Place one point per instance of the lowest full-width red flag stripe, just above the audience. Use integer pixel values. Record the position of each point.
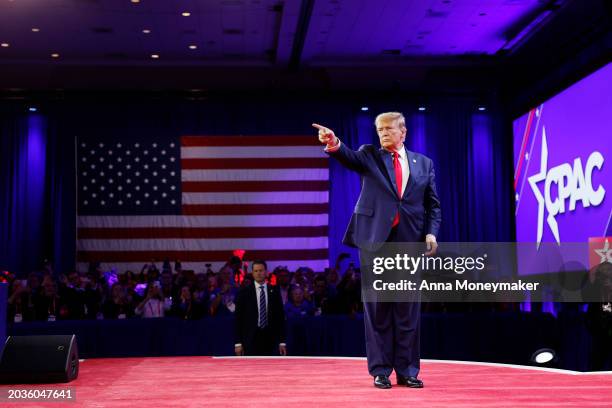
(199, 256)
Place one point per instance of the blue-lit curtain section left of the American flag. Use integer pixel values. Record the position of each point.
(35, 174)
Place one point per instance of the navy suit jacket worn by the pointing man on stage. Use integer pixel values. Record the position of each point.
(419, 207)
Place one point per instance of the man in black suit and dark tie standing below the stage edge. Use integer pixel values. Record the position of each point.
(259, 317)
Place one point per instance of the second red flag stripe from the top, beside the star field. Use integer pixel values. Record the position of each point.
(266, 163)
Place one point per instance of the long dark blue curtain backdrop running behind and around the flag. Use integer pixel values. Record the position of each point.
(471, 151)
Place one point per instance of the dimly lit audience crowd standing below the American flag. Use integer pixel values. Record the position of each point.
(174, 292)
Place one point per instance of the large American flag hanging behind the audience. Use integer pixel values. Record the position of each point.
(197, 198)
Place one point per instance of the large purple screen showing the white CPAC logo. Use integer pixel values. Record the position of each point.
(562, 178)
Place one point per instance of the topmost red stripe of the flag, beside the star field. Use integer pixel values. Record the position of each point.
(273, 141)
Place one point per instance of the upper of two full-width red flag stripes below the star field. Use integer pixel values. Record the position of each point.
(189, 233)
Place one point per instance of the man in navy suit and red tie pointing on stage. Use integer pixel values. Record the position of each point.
(398, 203)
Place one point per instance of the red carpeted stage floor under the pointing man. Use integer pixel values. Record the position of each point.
(318, 382)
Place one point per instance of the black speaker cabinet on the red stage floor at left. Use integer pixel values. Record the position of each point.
(39, 359)
